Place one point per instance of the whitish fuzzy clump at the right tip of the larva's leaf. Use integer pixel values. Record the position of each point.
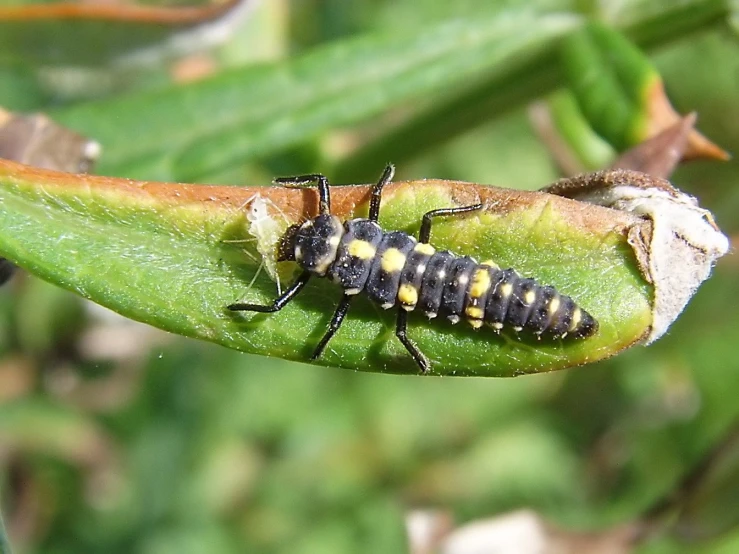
(684, 244)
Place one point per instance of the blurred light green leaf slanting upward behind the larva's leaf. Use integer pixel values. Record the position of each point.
(184, 133)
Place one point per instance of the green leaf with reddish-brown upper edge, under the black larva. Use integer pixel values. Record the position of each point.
(174, 256)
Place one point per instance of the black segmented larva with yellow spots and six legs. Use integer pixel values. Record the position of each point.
(392, 267)
